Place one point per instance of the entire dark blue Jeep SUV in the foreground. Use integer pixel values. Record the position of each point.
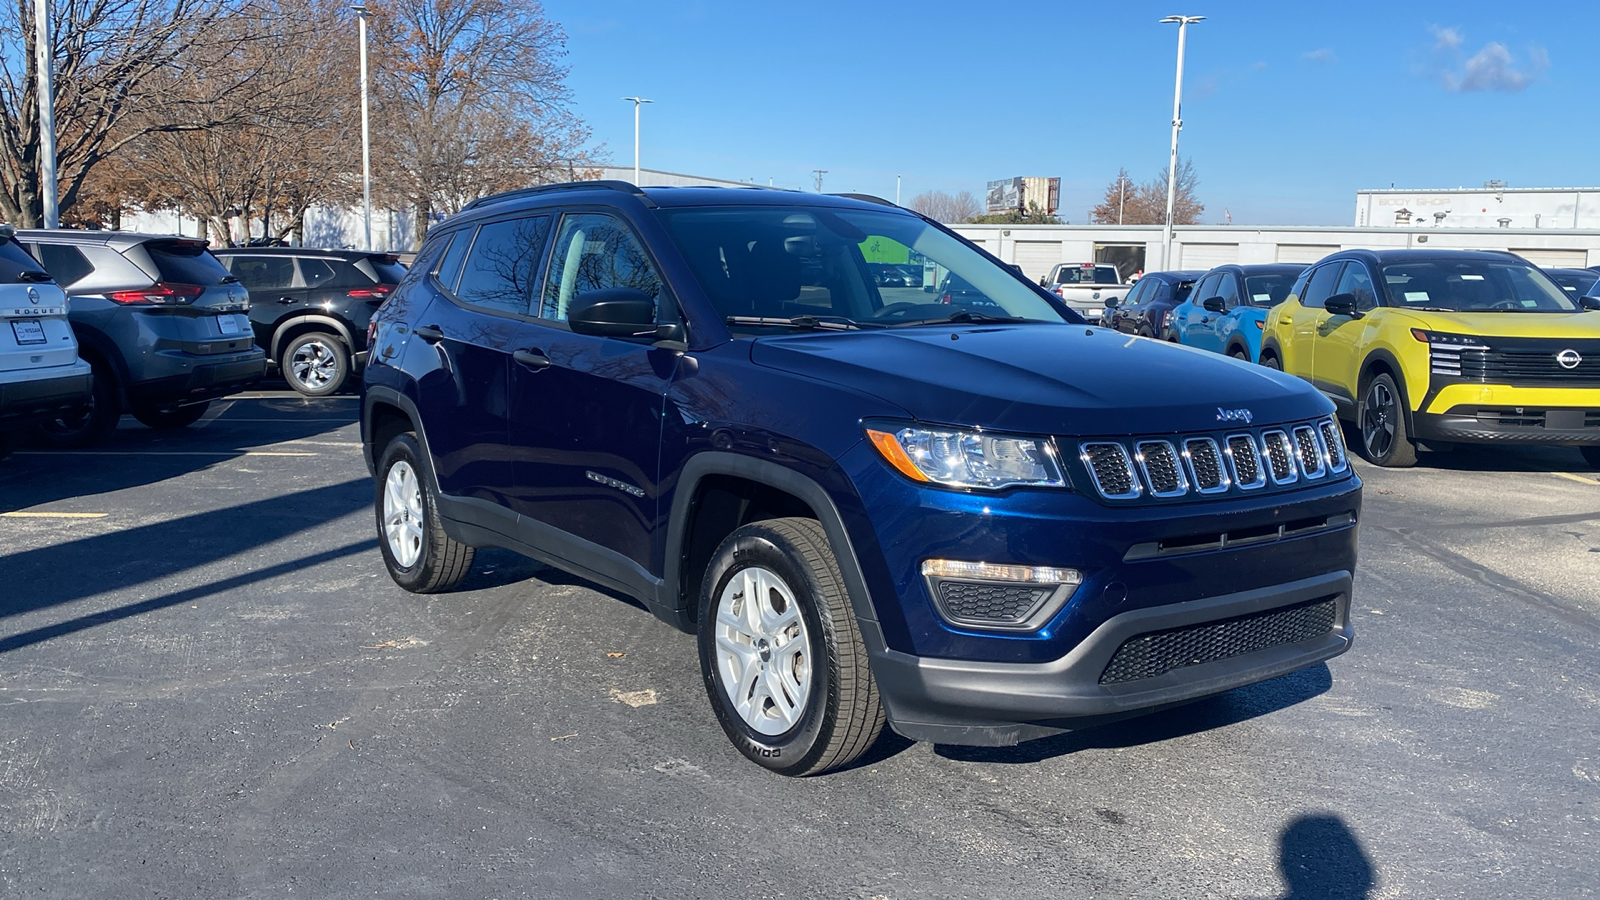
(978, 521)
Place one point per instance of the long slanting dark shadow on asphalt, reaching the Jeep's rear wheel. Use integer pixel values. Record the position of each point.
(66, 573)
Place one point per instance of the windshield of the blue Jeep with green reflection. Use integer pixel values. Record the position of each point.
(778, 263)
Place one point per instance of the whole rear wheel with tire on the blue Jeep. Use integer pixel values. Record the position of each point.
(420, 556)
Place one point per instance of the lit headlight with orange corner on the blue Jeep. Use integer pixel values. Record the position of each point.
(969, 459)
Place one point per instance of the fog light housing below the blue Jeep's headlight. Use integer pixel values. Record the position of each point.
(996, 597)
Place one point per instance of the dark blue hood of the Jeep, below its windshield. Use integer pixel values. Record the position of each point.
(1065, 380)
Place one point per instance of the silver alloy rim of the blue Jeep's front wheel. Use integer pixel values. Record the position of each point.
(764, 651)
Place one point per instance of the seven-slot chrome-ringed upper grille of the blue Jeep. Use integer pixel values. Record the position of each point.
(1162, 468)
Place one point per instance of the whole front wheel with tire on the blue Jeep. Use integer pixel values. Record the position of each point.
(807, 702)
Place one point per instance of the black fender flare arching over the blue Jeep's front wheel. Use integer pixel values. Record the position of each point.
(786, 480)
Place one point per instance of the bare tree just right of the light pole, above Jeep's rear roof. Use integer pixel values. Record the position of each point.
(471, 98)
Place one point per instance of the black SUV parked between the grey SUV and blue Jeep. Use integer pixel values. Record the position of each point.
(310, 308)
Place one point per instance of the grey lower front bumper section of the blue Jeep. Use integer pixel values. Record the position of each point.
(1004, 704)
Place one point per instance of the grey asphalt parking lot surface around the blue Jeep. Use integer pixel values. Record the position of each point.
(210, 688)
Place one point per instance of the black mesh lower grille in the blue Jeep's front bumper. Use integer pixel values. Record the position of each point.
(1156, 654)
